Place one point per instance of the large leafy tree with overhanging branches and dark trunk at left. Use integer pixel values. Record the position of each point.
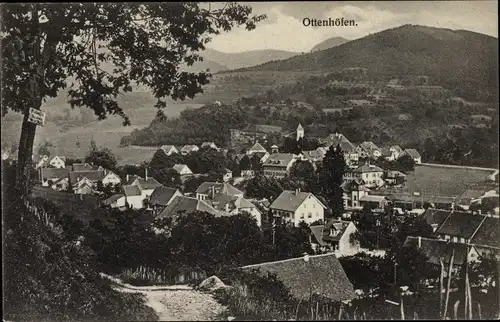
(100, 50)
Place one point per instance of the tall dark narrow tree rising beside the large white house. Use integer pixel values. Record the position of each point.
(330, 177)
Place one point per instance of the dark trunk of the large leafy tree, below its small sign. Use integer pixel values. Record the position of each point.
(25, 154)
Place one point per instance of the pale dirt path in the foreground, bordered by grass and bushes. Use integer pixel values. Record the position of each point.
(175, 303)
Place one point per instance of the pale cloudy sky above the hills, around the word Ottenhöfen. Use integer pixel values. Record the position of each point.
(284, 29)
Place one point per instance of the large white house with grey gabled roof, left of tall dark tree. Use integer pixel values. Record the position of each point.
(296, 206)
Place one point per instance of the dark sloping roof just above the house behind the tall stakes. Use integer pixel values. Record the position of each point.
(460, 224)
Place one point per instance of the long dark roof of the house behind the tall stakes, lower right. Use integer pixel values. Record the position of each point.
(435, 249)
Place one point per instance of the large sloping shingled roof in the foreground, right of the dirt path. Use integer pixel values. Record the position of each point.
(322, 275)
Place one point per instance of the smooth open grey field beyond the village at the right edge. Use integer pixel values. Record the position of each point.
(444, 181)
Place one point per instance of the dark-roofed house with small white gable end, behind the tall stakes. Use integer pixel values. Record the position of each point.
(437, 250)
